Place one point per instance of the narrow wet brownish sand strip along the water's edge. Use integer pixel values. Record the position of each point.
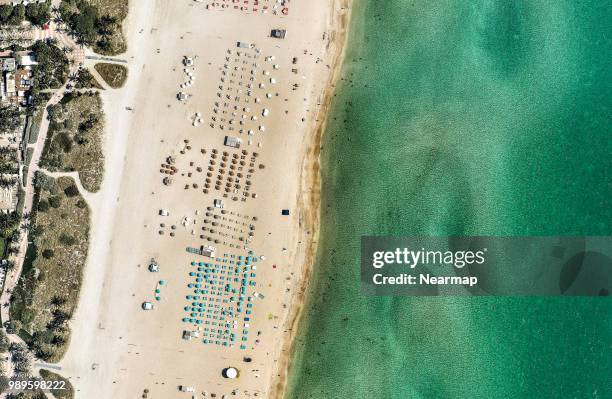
(309, 200)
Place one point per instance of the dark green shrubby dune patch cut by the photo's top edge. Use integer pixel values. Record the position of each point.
(97, 23)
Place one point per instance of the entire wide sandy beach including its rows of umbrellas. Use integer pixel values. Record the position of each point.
(271, 94)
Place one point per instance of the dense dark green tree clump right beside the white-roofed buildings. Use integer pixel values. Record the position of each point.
(53, 66)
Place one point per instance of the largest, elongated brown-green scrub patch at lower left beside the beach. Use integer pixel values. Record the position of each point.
(47, 293)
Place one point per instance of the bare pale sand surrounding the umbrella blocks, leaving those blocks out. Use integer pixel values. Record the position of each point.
(118, 350)
